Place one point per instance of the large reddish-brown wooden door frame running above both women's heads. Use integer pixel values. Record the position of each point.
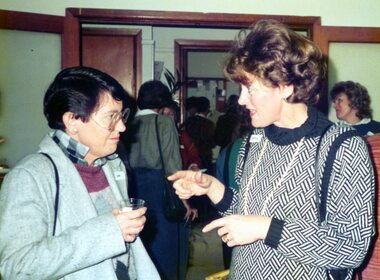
(76, 17)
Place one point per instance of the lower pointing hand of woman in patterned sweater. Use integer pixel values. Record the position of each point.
(240, 229)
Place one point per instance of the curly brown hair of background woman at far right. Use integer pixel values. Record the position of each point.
(357, 95)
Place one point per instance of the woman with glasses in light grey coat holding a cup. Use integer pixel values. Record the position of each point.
(66, 223)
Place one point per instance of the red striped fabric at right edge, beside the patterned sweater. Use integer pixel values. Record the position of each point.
(372, 269)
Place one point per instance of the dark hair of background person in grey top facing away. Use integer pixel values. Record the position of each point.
(154, 95)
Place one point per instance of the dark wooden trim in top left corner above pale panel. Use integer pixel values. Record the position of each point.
(31, 22)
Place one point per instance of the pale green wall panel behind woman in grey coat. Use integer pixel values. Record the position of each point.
(28, 63)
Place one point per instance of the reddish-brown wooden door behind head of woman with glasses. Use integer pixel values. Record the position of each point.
(114, 51)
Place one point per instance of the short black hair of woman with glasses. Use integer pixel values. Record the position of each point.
(78, 90)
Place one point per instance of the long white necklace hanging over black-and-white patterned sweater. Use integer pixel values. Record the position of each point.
(276, 185)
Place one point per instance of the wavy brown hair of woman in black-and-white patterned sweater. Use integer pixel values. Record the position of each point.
(277, 55)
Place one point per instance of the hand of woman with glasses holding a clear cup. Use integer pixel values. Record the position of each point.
(131, 223)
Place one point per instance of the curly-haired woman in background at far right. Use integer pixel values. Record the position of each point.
(353, 106)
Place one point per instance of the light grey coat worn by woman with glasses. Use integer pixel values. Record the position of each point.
(84, 243)
